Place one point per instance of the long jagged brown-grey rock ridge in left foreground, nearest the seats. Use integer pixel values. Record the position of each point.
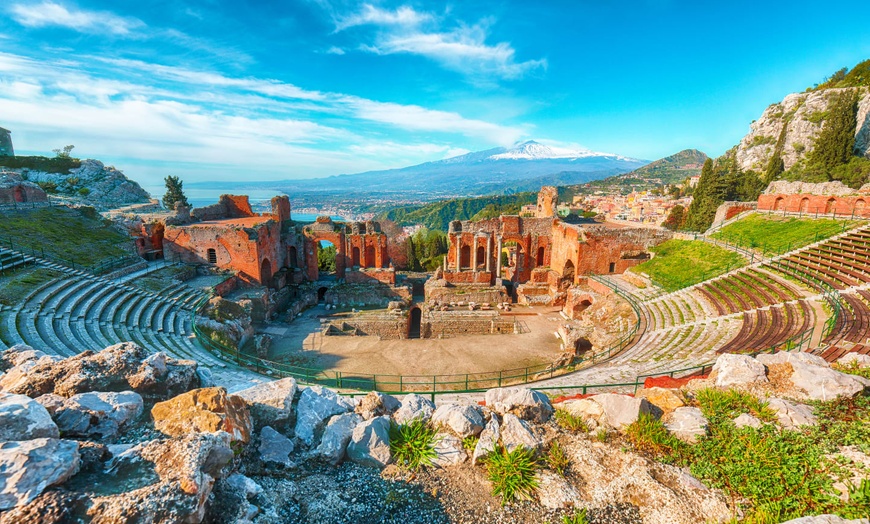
(121, 367)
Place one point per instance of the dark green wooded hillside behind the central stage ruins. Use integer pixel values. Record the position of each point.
(438, 215)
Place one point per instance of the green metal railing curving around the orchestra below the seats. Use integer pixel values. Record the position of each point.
(424, 384)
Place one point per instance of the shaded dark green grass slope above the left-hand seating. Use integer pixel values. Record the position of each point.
(67, 234)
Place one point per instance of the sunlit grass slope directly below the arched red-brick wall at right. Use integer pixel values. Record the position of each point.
(776, 235)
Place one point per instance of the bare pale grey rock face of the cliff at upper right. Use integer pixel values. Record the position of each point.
(800, 116)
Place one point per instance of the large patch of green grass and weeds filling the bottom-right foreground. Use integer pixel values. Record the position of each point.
(775, 474)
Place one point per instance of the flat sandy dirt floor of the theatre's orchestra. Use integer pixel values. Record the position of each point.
(302, 344)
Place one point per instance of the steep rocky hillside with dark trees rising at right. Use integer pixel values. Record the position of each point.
(820, 135)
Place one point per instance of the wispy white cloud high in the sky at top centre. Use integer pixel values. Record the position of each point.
(462, 48)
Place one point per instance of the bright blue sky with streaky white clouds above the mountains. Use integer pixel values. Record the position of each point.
(248, 90)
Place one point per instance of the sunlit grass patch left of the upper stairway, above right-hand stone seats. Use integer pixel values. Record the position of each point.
(682, 263)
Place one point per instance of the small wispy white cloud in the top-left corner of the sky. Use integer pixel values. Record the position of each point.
(49, 13)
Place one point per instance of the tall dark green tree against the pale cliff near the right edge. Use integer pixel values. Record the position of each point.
(835, 144)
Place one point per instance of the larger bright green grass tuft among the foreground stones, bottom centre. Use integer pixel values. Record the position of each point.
(512, 474)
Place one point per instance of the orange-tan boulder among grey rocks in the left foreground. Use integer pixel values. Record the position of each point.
(204, 410)
